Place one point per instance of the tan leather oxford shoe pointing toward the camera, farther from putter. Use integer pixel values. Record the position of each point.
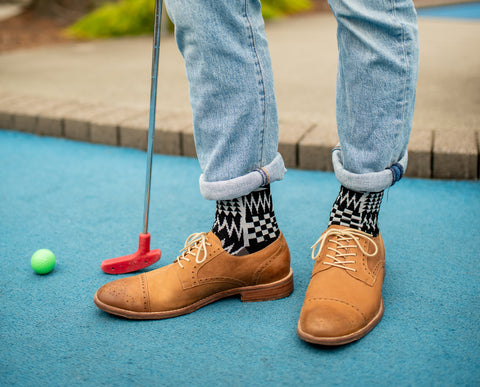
(344, 298)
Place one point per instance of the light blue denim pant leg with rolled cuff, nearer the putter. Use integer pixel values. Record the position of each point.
(231, 92)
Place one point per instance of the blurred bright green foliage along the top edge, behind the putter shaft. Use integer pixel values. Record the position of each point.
(136, 17)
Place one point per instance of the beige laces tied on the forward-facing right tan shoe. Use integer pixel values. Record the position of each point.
(343, 238)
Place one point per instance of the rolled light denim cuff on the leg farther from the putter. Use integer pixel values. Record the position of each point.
(371, 181)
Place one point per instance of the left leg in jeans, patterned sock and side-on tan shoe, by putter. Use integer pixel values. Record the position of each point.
(236, 135)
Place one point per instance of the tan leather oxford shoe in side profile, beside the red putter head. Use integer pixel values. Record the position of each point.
(202, 274)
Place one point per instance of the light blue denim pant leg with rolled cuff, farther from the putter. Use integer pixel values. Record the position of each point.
(376, 85)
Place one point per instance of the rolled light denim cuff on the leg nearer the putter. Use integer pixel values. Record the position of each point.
(243, 185)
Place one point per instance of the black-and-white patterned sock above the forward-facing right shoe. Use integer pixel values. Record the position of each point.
(358, 210)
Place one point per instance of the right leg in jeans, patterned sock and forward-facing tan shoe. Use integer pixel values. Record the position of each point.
(376, 83)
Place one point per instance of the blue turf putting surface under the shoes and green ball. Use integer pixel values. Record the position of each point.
(85, 202)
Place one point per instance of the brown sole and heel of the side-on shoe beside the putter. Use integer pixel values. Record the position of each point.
(267, 292)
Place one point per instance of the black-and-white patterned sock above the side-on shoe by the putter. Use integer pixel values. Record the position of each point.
(246, 224)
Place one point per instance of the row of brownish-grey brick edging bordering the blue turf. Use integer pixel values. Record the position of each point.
(442, 154)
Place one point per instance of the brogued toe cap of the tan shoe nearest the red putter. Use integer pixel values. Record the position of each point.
(124, 293)
